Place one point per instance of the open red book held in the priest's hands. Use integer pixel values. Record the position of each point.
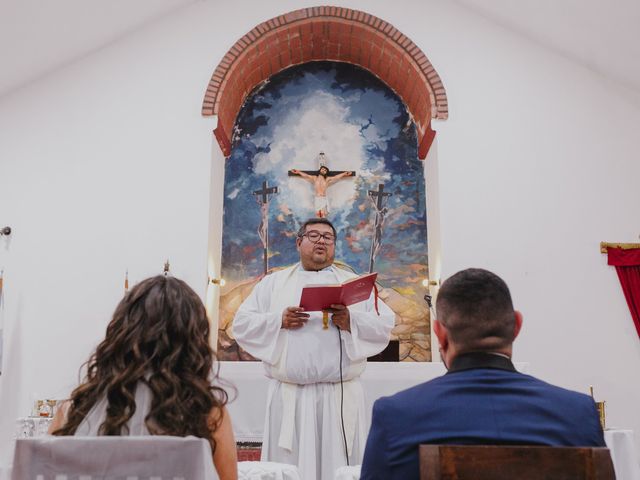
(320, 297)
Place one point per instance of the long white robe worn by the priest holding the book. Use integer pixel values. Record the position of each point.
(303, 421)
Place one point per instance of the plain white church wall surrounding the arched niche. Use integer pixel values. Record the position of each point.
(105, 165)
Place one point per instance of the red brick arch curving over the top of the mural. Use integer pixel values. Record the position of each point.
(326, 33)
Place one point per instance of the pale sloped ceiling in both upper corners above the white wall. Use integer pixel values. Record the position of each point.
(40, 36)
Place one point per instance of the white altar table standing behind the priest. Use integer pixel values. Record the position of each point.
(247, 404)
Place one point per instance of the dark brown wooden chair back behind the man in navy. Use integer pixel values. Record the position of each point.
(482, 462)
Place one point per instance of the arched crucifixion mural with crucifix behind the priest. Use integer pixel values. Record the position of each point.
(327, 139)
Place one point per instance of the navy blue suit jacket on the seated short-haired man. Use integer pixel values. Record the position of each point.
(481, 400)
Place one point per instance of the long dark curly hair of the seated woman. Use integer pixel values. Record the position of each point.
(159, 335)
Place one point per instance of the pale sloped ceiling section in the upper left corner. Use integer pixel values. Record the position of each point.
(40, 36)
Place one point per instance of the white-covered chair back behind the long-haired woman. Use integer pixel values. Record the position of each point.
(113, 458)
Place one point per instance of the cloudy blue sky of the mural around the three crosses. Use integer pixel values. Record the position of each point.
(361, 125)
